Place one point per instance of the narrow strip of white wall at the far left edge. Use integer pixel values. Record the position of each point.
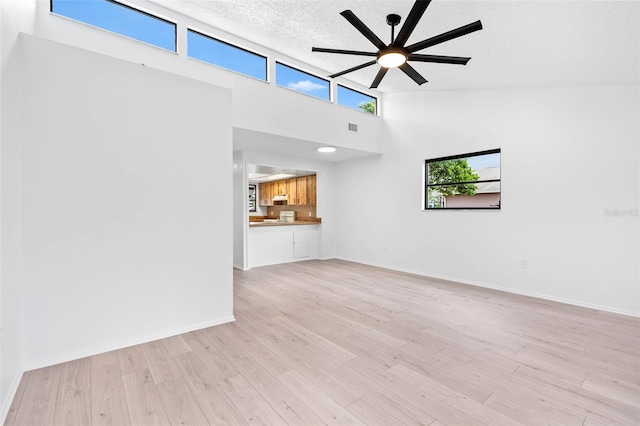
(15, 16)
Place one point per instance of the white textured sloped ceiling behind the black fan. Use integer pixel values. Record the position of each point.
(523, 43)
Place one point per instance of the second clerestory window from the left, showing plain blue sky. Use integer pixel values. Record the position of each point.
(219, 53)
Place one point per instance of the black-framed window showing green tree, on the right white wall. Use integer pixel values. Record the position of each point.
(468, 181)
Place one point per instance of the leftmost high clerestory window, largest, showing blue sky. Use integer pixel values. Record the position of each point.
(115, 17)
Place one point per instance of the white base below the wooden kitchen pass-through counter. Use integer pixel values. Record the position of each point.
(271, 245)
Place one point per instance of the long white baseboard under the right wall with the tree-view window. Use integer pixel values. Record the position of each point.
(499, 288)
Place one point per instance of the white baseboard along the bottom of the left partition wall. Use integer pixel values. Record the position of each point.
(124, 344)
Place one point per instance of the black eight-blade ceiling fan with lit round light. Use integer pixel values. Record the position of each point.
(396, 54)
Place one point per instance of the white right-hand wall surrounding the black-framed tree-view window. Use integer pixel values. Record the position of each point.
(568, 155)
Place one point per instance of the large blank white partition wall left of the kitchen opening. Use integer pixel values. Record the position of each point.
(122, 170)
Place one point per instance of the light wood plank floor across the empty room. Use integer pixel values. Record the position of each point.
(333, 342)
